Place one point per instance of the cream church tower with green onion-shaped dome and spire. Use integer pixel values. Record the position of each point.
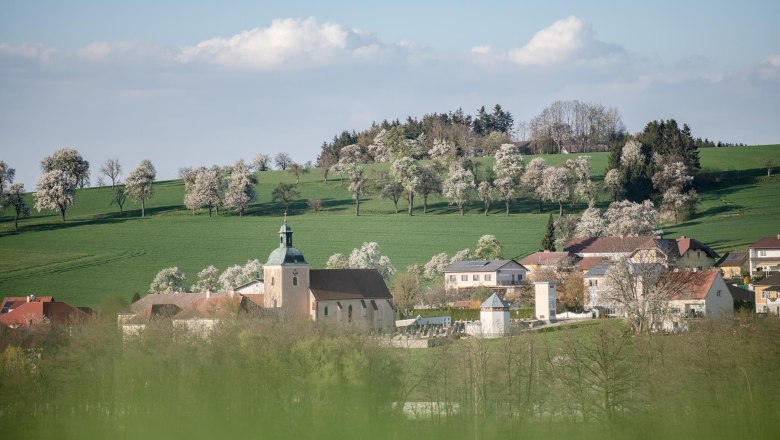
(286, 277)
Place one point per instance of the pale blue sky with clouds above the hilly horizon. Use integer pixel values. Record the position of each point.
(201, 83)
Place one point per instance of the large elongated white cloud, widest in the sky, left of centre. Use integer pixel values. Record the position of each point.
(288, 42)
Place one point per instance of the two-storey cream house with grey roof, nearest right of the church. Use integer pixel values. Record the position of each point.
(498, 275)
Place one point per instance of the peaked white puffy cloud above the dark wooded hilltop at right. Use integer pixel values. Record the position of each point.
(567, 40)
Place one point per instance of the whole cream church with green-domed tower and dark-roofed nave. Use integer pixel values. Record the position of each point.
(350, 296)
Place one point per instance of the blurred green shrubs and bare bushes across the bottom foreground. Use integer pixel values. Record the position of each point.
(294, 380)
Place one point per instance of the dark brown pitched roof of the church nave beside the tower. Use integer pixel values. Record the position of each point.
(338, 284)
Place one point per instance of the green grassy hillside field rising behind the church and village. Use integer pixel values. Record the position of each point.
(97, 252)
